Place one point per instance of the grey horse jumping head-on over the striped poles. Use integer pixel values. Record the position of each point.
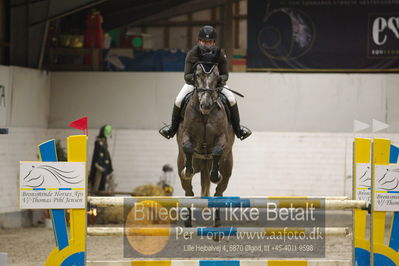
(205, 137)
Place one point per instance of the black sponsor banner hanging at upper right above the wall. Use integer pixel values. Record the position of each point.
(323, 35)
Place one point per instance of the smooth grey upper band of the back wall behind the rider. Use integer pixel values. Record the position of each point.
(273, 102)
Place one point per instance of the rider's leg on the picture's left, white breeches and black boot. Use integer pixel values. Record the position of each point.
(169, 131)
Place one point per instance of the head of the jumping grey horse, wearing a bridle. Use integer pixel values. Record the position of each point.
(206, 79)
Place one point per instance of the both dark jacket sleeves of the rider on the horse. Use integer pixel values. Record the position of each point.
(193, 56)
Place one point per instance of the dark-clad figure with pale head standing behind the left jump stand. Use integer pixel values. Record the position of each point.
(101, 166)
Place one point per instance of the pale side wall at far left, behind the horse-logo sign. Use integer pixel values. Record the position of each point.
(27, 112)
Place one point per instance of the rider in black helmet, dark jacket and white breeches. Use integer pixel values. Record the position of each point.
(205, 52)
